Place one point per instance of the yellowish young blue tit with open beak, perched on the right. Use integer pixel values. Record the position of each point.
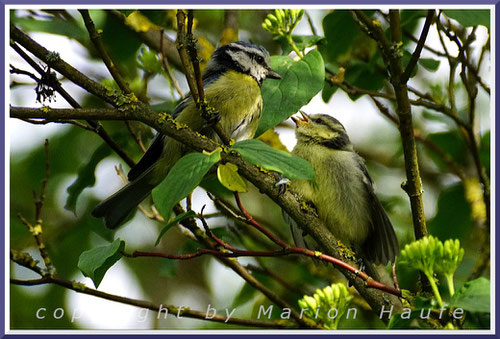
(343, 192)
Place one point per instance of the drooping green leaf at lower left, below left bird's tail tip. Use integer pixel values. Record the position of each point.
(96, 262)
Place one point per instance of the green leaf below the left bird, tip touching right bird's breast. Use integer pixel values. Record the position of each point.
(261, 154)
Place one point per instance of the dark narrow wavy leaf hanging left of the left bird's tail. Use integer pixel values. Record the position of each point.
(86, 177)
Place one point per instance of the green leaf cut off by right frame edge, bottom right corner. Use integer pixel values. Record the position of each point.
(473, 296)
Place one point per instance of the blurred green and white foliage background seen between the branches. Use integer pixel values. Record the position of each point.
(197, 283)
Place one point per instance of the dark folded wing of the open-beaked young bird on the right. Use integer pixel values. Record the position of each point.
(381, 246)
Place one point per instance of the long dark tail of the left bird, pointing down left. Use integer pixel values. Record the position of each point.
(116, 208)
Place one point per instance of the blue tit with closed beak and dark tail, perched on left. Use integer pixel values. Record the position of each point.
(232, 81)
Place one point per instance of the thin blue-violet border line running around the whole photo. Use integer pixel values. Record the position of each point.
(219, 2)
